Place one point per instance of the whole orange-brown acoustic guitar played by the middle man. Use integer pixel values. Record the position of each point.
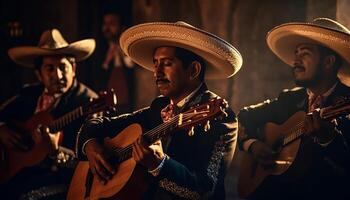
(129, 177)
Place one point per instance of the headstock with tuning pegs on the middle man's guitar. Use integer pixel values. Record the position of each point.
(201, 114)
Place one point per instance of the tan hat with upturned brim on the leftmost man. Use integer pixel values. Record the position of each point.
(52, 43)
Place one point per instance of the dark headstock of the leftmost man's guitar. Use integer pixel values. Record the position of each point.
(107, 100)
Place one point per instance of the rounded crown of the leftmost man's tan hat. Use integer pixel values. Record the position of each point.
(52, 39)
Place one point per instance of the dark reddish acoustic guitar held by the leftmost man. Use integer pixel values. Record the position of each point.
(12, 160)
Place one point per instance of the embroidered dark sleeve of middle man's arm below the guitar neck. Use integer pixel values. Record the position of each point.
(212, 157)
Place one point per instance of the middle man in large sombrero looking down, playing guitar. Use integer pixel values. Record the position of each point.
(189, 165)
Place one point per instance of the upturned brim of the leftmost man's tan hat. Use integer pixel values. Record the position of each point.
(26, 55)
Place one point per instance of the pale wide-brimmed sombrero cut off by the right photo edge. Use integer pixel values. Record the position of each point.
(284, 39)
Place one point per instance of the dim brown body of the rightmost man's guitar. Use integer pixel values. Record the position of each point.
(291, 161)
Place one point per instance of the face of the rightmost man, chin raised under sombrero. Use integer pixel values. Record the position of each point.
(307, 65)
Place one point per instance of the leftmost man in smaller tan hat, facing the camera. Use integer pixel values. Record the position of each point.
(58, 92)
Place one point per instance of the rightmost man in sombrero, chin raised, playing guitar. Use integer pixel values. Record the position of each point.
(319, 53)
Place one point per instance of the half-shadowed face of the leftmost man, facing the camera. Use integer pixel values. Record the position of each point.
(57, 74)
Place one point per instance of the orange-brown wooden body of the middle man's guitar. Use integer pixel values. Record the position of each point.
(124, 183)
